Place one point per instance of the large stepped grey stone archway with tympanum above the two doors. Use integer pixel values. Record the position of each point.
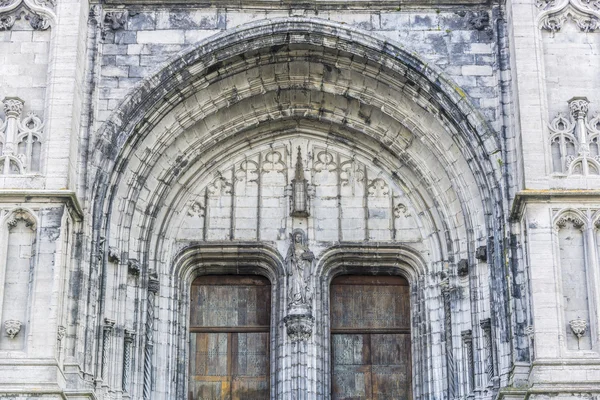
(169, 160)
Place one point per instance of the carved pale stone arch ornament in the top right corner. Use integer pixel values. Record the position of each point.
(584, 13)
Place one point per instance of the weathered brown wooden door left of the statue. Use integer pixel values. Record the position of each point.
(229, 338)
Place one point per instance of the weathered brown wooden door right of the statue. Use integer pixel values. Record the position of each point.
(370, 335)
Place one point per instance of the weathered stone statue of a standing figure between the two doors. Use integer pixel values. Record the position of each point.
(299, 261)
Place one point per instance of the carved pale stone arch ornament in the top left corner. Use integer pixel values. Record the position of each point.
(39, 13)
